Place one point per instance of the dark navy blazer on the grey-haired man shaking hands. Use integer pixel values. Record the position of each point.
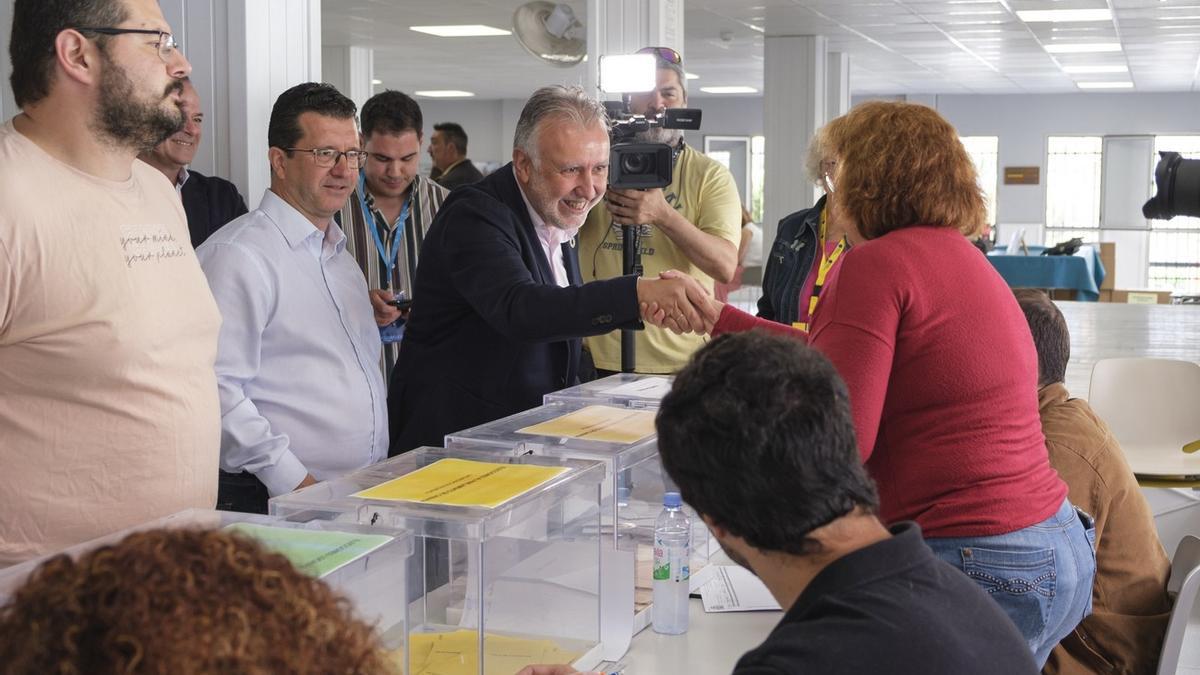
(490, 332)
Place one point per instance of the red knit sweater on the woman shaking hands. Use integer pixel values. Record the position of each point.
(943, 377)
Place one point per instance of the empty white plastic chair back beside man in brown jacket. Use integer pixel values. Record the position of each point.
(1154, 409)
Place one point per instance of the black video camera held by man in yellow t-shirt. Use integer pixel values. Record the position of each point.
(643, 166)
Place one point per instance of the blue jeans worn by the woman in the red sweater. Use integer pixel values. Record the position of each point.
(1041, 576)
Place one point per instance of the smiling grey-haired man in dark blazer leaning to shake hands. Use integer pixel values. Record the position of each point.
(500, 303)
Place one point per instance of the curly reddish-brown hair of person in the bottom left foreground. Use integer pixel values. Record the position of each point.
(183, 601)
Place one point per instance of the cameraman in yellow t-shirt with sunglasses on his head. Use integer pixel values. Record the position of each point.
(694, 226)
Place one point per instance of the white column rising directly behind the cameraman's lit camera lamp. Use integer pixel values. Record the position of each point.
(623, 27)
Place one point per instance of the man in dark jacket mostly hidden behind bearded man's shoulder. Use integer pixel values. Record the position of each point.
(209, 201)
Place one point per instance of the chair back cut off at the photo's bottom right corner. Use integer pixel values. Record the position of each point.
(1180, 655)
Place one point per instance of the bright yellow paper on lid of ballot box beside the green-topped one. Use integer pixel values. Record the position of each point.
(460, 482)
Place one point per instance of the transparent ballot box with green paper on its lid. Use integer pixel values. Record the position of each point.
(368, 566)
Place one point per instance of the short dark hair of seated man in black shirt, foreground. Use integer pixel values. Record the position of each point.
(759, 435)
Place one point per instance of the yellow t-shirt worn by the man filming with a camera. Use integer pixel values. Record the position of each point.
(705, 194)
